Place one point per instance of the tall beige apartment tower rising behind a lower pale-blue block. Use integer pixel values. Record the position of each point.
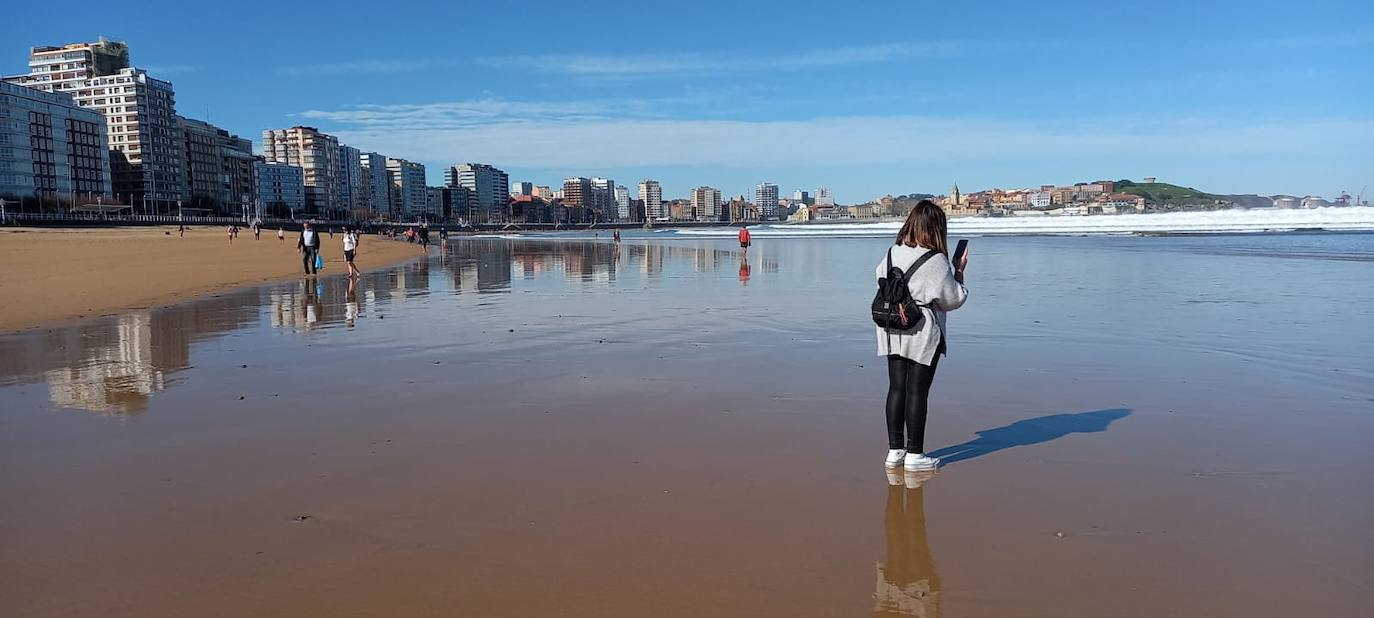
(318, 156)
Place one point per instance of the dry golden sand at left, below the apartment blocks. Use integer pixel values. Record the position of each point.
(57, 275)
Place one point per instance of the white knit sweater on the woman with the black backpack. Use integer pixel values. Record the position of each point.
(932, 285)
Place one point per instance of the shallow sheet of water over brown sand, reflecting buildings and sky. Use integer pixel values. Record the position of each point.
(1133, 426)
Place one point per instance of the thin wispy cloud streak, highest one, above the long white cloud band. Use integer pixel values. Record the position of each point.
(649, 65)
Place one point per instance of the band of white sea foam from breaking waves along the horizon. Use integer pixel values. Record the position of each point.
(1255, 220)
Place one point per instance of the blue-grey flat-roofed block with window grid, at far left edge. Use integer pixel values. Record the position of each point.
(52, 148)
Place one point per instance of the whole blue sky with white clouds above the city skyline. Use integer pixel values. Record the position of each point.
(868, 98)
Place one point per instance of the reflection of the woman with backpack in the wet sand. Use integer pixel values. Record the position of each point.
(908, 580)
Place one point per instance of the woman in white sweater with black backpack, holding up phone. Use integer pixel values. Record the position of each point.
(936, 286)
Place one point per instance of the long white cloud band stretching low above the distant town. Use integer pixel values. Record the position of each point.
(609, 144)
